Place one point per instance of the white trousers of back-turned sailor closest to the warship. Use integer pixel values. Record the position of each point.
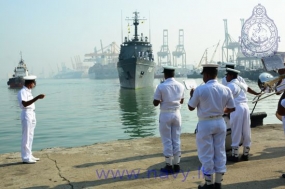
(170, 130)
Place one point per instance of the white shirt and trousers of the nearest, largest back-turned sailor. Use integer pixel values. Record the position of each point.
(210, 100)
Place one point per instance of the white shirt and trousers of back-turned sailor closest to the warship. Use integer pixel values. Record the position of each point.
(170, 93)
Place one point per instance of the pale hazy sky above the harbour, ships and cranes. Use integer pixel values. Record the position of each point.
(51, 32)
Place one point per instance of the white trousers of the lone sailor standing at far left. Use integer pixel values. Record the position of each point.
(28, 120)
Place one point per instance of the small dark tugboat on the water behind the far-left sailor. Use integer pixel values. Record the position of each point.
(17, 81)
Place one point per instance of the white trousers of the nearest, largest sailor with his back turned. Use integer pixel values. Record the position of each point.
(210, 141)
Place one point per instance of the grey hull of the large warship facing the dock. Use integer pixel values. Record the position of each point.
(135, 73)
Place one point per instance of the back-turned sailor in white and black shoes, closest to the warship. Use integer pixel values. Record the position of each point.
(170, 96)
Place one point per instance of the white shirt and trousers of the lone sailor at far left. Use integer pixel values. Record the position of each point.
(28, 120)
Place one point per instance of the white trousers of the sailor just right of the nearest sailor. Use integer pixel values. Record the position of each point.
(240, 125)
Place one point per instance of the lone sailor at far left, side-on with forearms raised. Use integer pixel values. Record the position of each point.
(28, 118)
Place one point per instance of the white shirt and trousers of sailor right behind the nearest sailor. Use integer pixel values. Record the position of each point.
(240, 118)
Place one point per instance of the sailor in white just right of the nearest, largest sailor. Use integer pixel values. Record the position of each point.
(240, 118)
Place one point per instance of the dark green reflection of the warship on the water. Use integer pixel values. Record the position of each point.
(138, 113)
